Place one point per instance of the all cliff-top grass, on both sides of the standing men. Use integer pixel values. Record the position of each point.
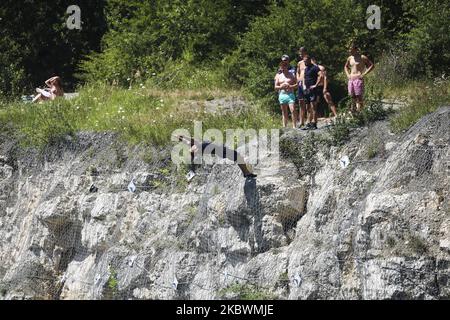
(149, 112)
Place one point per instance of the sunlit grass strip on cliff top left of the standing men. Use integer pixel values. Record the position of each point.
(138, 114)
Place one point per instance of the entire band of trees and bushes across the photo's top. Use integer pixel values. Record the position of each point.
(166, 42)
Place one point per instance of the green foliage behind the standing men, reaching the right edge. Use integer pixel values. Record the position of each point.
(415, 33)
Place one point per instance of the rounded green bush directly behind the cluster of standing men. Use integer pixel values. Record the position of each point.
(324, 27)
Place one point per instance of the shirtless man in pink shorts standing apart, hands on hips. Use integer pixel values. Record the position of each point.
(356, 68)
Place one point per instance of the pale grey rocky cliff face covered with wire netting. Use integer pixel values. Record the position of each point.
(377, 228)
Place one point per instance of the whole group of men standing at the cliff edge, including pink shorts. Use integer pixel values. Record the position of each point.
(309, 79)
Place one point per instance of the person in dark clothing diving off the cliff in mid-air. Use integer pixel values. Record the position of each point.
(219, 150)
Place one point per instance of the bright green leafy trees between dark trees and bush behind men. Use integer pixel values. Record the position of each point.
(147, 37)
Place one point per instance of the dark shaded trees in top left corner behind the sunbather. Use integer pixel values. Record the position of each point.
(36, 44)
